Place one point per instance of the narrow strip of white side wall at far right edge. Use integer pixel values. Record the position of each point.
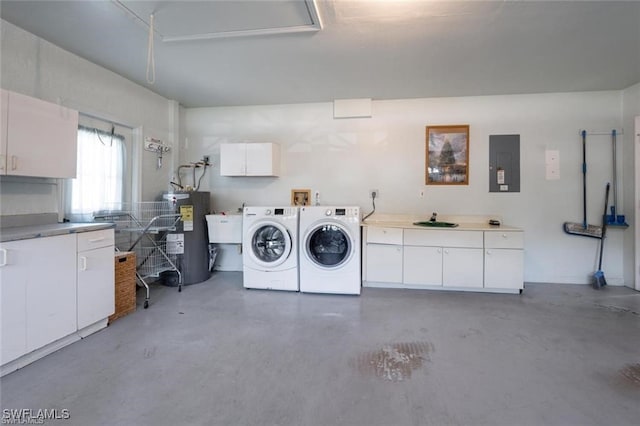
(631, 163)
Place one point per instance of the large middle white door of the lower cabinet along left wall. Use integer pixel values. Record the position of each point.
(51, 290)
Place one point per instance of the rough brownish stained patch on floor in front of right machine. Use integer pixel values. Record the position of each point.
(394, 362)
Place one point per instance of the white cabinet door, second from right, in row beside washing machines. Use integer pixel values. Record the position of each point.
(462, 267)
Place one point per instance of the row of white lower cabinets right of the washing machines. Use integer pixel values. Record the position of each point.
(473, 260)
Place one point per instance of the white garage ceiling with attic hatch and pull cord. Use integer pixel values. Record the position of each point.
(241, 52)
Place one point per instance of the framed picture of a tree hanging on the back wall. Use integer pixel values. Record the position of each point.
(447, 149)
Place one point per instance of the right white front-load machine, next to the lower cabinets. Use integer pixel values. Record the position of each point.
(330, 249)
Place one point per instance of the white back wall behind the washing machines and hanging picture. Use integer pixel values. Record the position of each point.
(345, 158)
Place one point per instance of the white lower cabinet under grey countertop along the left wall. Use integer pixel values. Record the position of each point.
(49, 291)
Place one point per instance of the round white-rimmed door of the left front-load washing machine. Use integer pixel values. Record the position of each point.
(270, 244)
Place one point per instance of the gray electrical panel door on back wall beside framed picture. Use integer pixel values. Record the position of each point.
(504, 163)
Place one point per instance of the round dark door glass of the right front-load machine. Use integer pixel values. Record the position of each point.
(329, 245)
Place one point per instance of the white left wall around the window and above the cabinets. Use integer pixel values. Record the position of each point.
(35, 67)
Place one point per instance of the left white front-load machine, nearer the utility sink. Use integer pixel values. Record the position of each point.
(270, 248)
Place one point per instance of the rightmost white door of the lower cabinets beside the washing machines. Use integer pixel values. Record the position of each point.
(504, 268)
